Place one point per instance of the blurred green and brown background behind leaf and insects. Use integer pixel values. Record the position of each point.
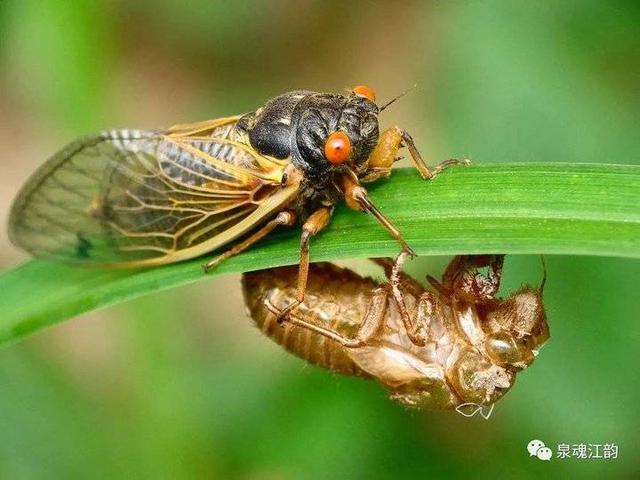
(181, 385)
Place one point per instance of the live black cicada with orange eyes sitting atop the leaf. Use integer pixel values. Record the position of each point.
(130, 198)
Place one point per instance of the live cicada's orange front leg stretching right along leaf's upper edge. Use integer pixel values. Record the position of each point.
(385, 154)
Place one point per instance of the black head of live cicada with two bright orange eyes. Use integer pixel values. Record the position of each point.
(334, 132)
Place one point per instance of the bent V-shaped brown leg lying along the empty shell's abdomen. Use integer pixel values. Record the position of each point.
(370, 323)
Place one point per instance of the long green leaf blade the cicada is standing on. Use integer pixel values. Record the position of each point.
(570, 209)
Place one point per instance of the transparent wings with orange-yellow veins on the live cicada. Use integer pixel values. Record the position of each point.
(136, 197)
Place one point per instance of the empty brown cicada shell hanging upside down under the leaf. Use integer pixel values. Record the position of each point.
(455, 346)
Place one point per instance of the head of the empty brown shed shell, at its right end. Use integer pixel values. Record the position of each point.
(517, 328)
